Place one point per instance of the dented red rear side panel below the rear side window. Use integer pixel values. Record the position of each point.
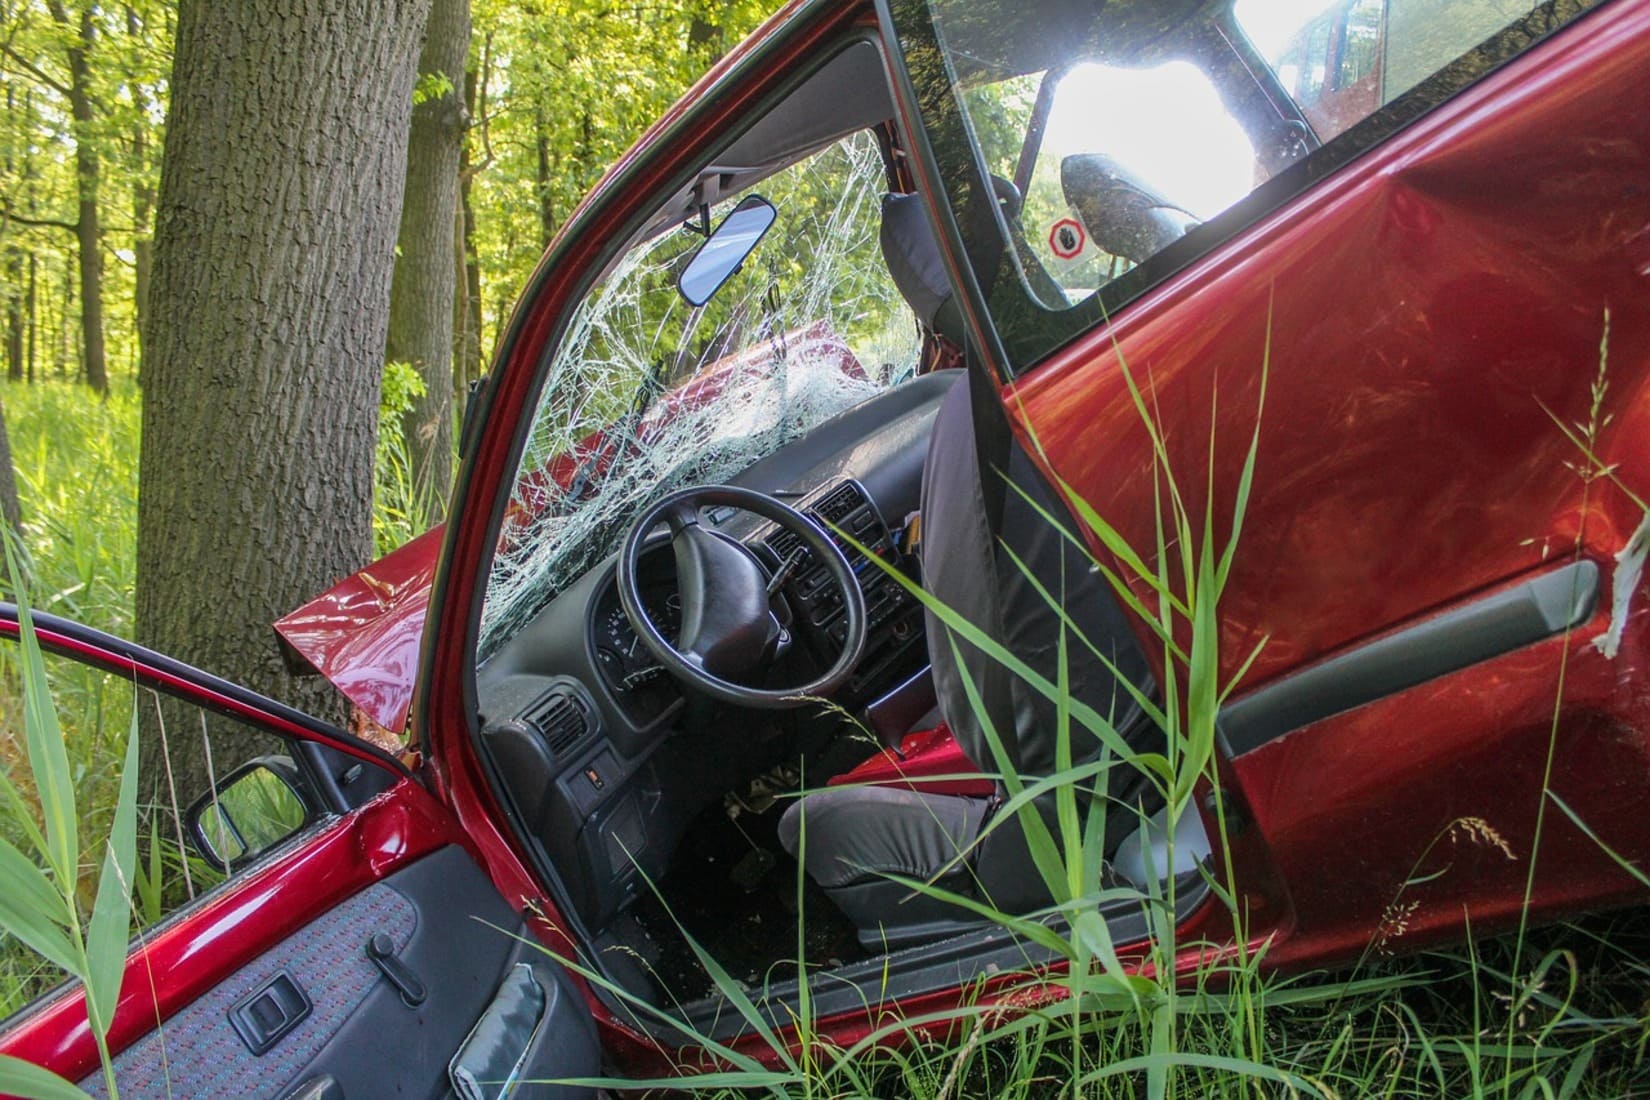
(1431, 321)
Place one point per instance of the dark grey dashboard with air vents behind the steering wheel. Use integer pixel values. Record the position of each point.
(603, 758)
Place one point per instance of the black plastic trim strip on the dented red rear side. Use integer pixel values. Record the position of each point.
(1466, 636)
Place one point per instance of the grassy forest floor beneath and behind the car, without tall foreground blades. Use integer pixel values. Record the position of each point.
(1560, 1012)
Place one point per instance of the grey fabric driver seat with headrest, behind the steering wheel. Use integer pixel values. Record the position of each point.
(852, 839)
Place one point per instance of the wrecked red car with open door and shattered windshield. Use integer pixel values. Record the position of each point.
(887, 284)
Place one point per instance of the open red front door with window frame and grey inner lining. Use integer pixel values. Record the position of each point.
(397, 865)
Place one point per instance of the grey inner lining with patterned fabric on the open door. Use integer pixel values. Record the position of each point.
(450, 931)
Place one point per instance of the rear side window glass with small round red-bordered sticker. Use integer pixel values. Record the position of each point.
(1133, 138)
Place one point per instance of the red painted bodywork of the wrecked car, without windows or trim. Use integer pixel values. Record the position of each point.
(1425, 313)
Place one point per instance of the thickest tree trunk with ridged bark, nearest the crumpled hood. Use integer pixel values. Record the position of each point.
(270, 304)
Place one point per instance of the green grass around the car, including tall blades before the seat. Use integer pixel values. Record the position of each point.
(1547, 1013)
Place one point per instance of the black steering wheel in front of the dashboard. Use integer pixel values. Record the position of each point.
(727, 621)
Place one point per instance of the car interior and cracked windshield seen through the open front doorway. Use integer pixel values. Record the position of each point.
(674, 723)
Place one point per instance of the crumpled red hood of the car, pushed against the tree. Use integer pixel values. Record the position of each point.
(364, 634)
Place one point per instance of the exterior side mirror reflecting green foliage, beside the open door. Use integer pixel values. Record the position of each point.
(248, 812)
